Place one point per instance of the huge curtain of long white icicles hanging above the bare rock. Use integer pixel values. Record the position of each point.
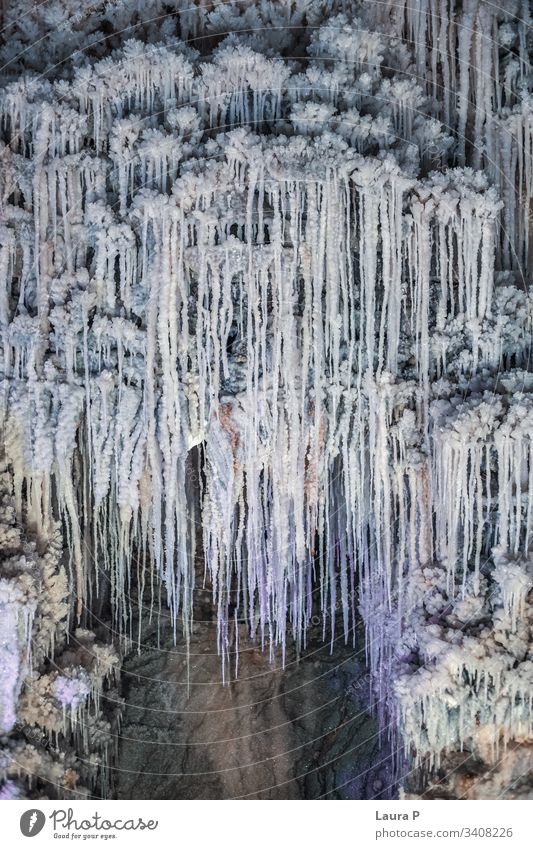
(275, 263)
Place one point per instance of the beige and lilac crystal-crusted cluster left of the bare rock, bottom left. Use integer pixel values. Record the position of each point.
(55, 735)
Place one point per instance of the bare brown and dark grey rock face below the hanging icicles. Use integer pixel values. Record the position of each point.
(298, 733)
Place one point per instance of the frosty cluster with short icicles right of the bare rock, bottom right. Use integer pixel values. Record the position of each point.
(464, 672)
